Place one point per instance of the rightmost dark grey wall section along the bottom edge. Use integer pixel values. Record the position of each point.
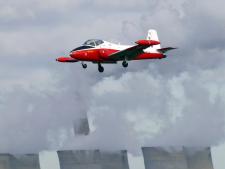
(177, 158)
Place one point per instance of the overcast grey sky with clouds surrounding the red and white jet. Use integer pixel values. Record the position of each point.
(176, 101)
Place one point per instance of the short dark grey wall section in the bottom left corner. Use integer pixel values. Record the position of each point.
(29, 161)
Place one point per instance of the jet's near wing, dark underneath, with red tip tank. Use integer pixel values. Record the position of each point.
(132, 52)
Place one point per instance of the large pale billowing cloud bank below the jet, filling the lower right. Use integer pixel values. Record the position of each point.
(147, 109)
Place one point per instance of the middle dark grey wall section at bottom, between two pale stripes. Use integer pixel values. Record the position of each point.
(92, 159)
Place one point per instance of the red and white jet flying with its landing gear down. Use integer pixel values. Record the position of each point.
(100, 52)
